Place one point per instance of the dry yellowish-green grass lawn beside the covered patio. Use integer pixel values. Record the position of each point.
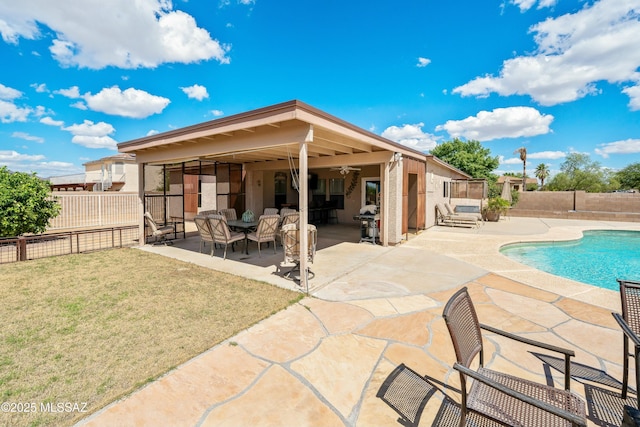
(91, 328)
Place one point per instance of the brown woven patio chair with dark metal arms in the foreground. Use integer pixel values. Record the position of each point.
(506, 398)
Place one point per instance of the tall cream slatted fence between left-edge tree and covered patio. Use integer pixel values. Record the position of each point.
(84, 210)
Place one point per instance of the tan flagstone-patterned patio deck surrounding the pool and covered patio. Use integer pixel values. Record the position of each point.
(322, 361)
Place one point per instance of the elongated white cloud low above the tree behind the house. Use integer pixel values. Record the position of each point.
(512, 122)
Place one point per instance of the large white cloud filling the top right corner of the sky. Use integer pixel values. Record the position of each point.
(574, 53)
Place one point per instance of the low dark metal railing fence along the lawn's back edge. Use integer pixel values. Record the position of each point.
(54, 244)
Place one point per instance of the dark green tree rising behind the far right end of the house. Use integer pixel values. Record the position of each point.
(470, 157)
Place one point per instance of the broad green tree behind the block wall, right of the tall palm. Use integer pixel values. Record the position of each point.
(579, 172)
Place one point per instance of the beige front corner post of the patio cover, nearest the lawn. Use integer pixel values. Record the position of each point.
(303, 203)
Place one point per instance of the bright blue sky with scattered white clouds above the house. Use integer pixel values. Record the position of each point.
(554, 76)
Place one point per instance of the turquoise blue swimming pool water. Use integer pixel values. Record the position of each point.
(599, 258)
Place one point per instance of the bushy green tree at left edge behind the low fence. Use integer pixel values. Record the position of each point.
(25, 202)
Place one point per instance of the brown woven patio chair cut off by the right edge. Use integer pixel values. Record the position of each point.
(629, 322)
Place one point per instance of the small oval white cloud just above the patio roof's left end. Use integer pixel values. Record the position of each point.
(131, 102)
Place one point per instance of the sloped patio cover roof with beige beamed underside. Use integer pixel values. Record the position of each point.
(269, 138)
